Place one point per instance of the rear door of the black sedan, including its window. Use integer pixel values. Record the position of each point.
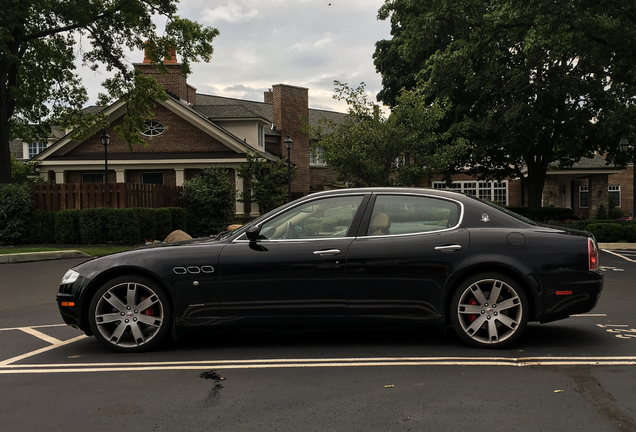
(407, 248)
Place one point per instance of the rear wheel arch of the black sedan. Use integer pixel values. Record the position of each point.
(525, 282)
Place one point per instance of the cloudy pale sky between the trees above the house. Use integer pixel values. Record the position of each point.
(306, 43)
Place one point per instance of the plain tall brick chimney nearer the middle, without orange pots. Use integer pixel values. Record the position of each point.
(291, 110)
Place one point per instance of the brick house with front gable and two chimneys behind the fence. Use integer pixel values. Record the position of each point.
(190, 132)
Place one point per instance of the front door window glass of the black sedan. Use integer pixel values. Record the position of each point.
(323, 218)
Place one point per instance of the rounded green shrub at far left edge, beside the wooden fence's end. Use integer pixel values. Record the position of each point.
(15, 213)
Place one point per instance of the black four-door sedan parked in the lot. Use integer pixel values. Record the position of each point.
(353, 257)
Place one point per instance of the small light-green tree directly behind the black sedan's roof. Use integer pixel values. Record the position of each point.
(371, 149)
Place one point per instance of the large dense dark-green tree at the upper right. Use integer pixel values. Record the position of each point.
(527, 84)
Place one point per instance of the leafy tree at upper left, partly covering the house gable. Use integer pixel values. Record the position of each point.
(38, 85)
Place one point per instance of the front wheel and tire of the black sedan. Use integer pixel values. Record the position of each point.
(130, 314)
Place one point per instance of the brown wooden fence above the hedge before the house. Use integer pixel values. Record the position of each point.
(116, 195)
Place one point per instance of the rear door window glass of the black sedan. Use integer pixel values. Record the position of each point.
(403, 214)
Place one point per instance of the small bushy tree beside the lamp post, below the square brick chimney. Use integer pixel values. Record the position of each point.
(266, 182)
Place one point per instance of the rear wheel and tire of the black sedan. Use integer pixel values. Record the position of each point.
(487, 322)
